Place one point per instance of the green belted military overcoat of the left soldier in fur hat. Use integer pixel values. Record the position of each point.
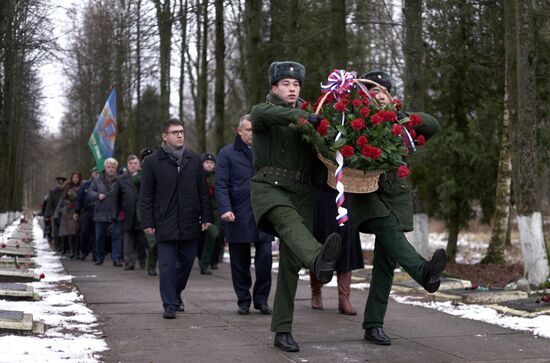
(276, 144)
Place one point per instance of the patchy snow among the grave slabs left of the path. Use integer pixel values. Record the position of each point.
(72, 331)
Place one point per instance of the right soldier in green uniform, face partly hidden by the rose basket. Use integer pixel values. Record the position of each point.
(388, 213)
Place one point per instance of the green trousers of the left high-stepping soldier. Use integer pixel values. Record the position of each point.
(297, 248)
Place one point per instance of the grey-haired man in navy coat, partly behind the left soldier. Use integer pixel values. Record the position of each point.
(234, 171)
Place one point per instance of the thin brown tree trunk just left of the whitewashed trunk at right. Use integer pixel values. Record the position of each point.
(501, 216)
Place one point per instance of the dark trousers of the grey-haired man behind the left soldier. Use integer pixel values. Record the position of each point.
(239, 254)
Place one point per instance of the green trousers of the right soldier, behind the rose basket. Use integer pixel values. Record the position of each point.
(390, 248)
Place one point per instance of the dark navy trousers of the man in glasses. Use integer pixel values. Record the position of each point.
(175, 260)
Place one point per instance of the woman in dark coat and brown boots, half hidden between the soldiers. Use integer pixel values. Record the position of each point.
(351, 258)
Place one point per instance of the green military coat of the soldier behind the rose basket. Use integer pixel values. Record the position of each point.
(393, 195)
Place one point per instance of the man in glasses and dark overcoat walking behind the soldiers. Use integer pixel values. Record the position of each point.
(175, 208)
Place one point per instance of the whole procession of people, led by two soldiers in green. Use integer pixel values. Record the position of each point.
(172, 206)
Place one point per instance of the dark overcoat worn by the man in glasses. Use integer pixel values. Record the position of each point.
(174, 196)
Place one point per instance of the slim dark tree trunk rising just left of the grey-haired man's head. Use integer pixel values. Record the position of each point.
(219, 93)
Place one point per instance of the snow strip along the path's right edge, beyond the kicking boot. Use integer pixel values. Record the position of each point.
(539, 326)
